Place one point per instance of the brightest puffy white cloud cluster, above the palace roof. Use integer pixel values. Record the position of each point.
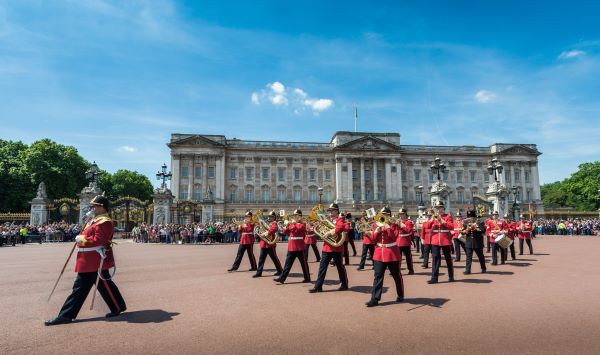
(299, 101)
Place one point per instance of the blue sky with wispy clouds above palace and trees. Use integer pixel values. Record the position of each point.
(116, 78)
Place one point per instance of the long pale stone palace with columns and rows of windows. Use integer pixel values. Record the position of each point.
(355, 169)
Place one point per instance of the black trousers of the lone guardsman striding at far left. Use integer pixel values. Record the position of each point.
(84, 282)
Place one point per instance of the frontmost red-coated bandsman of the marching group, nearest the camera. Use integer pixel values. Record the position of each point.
(386, 256)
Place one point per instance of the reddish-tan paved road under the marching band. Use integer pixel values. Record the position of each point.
(181, 300)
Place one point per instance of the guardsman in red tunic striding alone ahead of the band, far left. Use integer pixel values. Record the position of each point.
(94, 253)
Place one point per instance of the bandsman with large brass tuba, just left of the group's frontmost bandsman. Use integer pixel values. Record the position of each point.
(333, 253)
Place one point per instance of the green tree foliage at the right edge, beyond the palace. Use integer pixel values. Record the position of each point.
(579, 191)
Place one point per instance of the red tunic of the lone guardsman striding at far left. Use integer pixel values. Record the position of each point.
(97, 234)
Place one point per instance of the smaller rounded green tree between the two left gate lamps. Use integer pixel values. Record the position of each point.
(129, 183)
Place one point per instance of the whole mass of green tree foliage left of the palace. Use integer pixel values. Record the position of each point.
(62, 169)
